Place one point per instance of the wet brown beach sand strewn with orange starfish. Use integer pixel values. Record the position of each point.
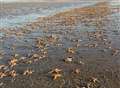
(78, 48)
